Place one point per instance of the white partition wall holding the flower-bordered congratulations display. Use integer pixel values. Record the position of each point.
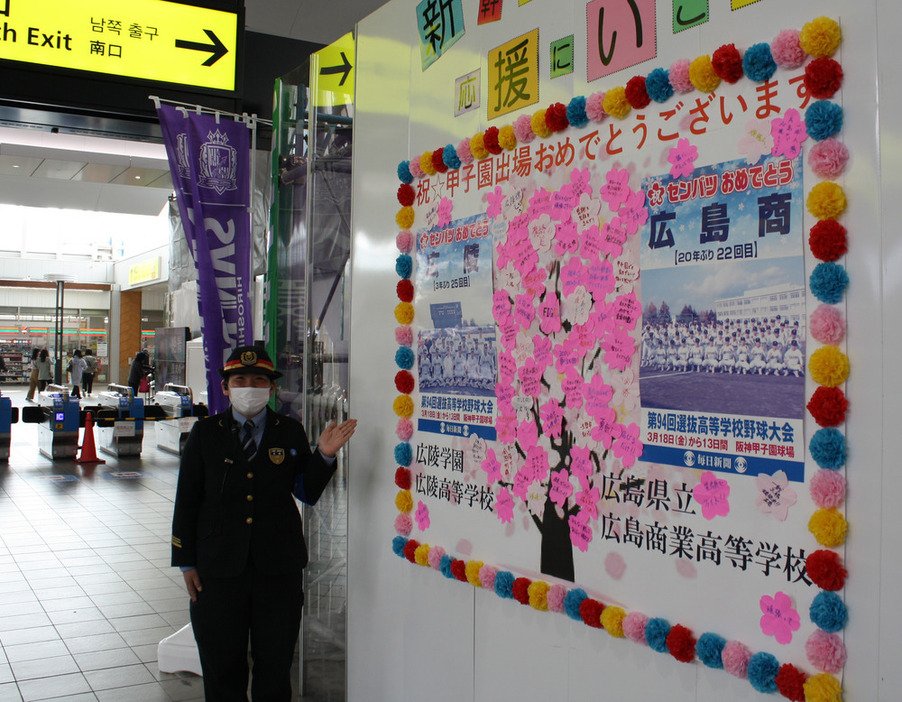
(416, 634)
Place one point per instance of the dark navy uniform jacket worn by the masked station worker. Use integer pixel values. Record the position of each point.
(229, 512)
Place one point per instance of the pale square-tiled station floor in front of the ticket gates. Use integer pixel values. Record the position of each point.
(86, 590)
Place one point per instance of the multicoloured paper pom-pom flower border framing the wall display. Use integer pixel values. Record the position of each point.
(818, 39)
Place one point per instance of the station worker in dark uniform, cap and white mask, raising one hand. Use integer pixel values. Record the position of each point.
(237, 535)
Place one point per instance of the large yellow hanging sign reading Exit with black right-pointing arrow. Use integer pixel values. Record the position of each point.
(148, 39)
